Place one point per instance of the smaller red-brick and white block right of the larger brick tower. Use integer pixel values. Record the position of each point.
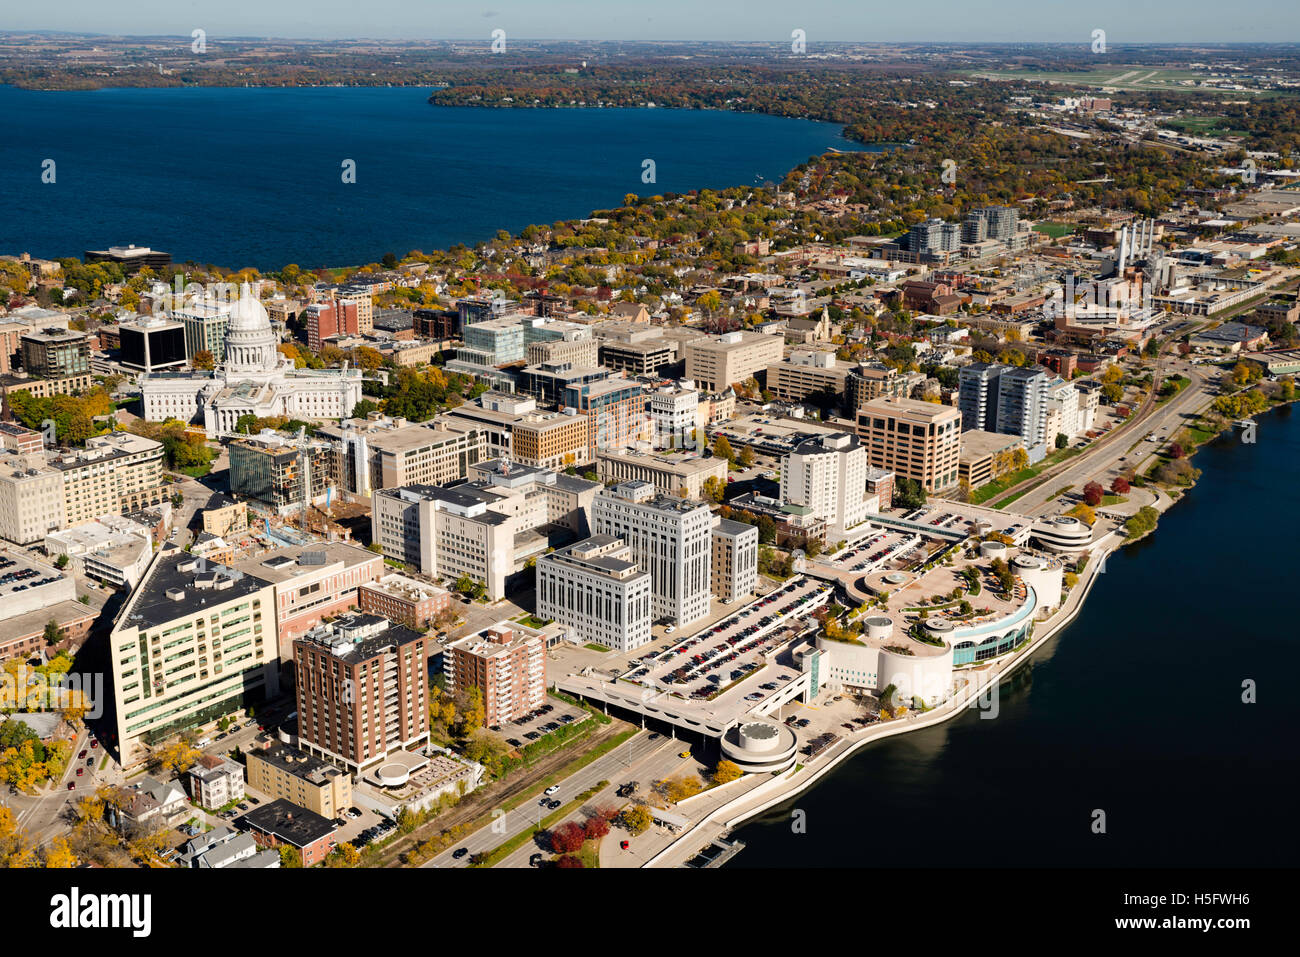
(508, 664)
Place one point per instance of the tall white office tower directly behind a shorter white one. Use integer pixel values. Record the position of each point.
(670, 538)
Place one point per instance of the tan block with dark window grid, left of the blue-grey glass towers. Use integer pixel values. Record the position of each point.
(915, 440)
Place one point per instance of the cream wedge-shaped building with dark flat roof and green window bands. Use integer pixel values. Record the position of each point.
(190, 646)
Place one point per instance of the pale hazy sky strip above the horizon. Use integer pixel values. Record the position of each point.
(1125, 21)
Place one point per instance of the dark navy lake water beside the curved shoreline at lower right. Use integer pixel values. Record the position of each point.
(1136, 709)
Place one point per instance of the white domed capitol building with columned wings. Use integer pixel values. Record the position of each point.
(254, 379)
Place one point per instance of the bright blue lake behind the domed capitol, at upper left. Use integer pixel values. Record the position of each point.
(254, 176)
